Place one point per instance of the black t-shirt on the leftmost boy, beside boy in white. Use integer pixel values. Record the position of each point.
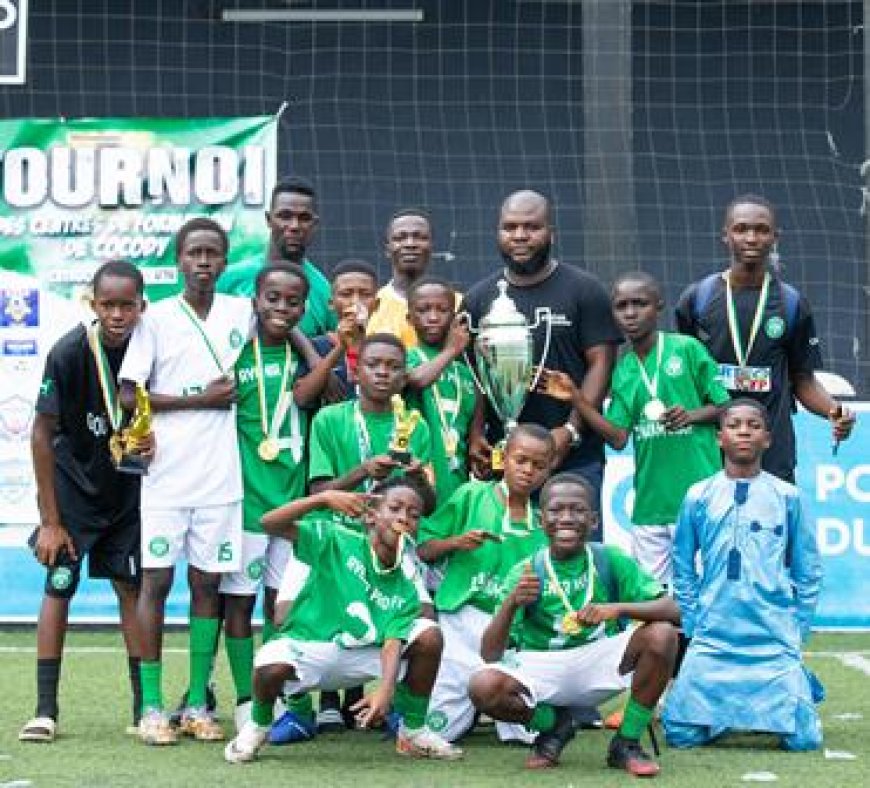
(71, 392)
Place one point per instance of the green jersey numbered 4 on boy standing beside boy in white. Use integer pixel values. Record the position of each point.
(268, 485)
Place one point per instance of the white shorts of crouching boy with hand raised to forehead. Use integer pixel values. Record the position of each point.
(327, 666)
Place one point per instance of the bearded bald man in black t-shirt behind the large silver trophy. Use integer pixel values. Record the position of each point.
(584, 335)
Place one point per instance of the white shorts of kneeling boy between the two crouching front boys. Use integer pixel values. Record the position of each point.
(451, 712)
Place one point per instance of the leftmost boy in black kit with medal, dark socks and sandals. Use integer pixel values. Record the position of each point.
(86, 507)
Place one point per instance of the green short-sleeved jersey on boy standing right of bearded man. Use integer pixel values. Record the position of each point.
(667, 462)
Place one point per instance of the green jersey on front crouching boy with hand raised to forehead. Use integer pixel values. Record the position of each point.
(349, 598)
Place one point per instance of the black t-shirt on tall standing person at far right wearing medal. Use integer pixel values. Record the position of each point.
(784, 345)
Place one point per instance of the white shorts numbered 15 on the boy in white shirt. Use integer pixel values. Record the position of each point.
(209, 537)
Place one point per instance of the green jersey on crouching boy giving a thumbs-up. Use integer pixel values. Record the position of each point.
(540, 627)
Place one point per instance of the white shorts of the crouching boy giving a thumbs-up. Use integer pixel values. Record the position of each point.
(583, 676)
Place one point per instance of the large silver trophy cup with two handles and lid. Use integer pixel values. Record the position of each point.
(504, 355)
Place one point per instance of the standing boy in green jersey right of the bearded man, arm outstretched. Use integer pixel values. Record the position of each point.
(665, 394)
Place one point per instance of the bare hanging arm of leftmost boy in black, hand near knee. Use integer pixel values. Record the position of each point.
(53, 538)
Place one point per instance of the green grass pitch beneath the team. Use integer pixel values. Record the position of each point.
(93, 749)
